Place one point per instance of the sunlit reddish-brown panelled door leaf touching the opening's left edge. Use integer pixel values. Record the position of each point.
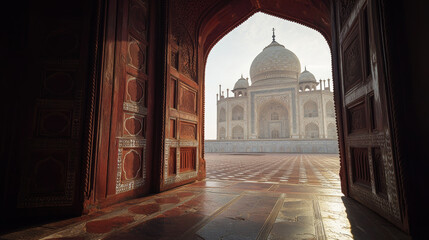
(181, 149)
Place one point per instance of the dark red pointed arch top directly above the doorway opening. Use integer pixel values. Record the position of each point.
(215, 25)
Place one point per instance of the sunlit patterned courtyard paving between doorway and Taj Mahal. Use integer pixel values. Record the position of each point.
(309, 169)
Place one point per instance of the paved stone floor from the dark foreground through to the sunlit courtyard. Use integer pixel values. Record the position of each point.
(245, 196)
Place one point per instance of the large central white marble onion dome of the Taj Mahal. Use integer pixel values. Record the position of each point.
(275, 63)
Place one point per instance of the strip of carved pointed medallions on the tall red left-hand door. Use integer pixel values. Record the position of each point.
(128, 142)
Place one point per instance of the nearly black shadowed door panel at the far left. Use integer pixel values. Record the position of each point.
(45, 177)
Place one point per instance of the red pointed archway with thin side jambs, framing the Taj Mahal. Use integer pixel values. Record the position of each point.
(225, 16)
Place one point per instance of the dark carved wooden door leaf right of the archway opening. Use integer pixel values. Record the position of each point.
(373, 173)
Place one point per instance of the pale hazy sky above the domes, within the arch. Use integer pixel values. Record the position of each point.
(234, 53)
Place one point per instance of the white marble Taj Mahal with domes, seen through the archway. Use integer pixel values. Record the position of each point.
(282, 110)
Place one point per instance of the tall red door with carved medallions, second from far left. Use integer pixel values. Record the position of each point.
(126, 124)
